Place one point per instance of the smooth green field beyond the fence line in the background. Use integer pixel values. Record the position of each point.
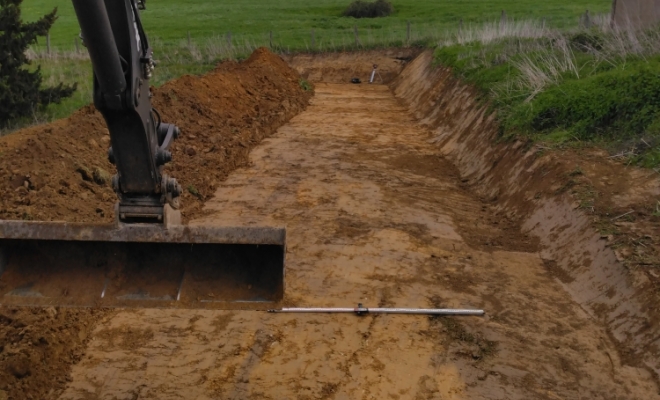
(292, 21)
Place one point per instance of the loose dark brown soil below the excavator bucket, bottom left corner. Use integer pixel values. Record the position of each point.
(38, 346)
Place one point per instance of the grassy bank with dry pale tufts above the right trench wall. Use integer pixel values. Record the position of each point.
(595, 85)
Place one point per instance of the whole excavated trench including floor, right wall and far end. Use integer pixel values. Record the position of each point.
(396, 195)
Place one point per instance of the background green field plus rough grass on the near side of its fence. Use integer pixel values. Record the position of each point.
(291, 22)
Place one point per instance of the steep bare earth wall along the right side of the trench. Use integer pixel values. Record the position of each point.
(527, 186)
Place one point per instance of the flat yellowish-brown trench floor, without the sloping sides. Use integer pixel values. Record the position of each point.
(373, 215)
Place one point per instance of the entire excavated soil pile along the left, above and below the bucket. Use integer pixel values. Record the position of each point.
(59, 172)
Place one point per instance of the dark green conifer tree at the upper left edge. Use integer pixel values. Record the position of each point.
(20, 89)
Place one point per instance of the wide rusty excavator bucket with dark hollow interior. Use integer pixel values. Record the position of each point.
(140, 265)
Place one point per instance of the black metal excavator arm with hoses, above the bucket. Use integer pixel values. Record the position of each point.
(123, 63)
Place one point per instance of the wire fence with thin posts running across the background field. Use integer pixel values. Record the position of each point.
(232, 45)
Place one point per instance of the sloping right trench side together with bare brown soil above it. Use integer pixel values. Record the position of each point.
(573, 201)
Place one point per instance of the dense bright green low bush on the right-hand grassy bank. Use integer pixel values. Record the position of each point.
(618, 104)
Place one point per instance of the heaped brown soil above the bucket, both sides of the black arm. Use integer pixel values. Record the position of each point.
(60, 171)
